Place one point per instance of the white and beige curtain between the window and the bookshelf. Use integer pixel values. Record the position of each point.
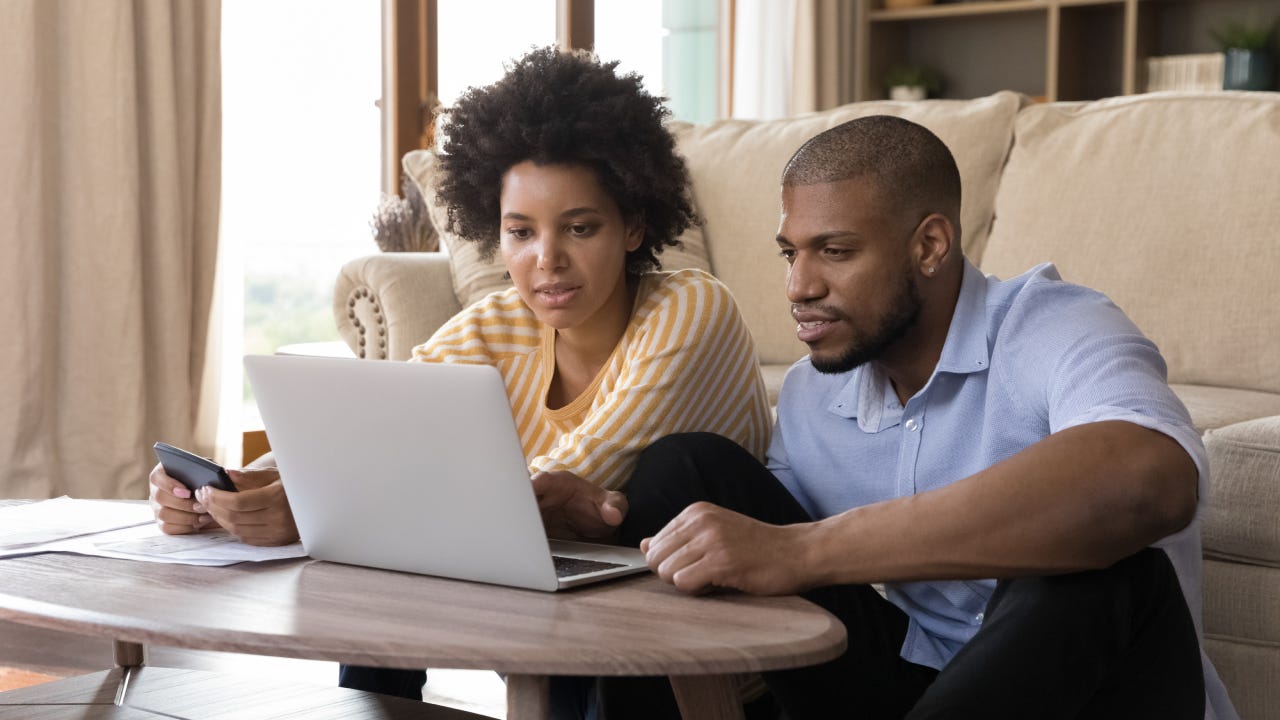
(792, 57)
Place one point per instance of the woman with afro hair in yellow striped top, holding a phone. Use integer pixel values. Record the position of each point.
(566, 171)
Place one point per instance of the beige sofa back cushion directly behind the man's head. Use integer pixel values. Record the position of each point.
(738, 165)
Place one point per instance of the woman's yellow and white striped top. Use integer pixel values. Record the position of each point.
(687, 363)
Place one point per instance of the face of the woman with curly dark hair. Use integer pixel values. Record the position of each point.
(565, 244)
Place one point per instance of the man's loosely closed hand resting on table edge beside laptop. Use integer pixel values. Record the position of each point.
(708, 548)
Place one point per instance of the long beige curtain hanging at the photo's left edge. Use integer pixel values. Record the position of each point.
(109, 198)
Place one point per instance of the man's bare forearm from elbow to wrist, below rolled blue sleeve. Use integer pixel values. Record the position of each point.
(1081, 499)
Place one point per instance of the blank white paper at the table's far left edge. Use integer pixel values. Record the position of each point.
(63, 518)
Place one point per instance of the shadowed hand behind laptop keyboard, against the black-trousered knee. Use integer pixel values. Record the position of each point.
(575, 509)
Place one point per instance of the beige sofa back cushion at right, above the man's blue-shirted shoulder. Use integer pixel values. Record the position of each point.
(1168, 203)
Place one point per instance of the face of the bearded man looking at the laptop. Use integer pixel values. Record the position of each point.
(852, 282)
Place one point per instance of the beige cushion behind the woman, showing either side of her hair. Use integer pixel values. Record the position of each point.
(476, 277)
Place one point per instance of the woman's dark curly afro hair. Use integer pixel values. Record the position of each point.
(566, 108)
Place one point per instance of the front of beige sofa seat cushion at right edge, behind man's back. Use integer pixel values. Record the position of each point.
(1242, 518)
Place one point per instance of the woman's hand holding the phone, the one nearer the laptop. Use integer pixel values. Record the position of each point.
(259, 514)
